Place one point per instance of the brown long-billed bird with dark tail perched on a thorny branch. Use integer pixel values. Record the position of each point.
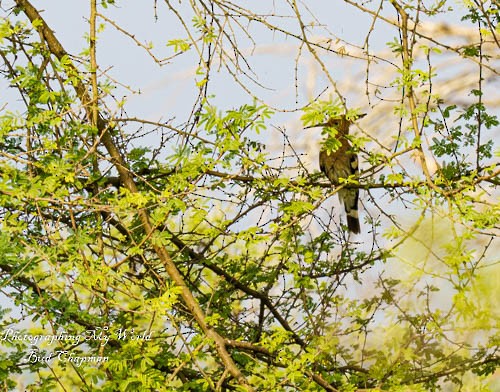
(342, 163)
